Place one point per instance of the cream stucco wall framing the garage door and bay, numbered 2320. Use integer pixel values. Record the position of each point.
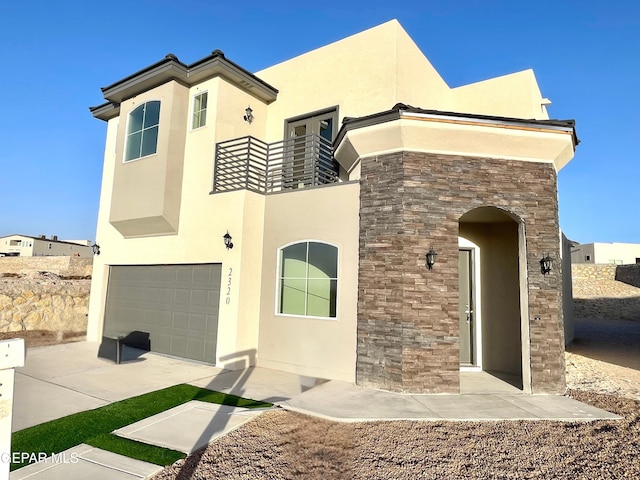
(204, 219)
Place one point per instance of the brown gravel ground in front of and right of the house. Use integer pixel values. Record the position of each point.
(287, 445)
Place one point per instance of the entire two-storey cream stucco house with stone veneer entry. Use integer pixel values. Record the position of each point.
(333, 174)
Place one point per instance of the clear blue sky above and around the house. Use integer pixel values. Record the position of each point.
(56, 55)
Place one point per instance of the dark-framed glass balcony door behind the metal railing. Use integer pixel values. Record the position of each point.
(309, 158)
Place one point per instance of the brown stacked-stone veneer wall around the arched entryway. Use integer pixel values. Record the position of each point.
(407, 316)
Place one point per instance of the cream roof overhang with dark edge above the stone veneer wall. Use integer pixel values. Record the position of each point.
(410, 129)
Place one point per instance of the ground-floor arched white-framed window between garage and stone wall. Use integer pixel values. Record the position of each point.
(308, 280)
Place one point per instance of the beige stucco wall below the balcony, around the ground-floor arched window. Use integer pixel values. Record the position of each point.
(314, 347)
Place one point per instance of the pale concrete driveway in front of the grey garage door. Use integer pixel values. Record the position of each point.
(68, 378)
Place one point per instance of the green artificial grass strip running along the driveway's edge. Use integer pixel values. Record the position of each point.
(61, 434)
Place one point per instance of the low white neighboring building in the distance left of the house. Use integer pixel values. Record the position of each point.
(26, 246)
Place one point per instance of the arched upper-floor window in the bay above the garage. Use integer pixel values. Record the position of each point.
(142, 131)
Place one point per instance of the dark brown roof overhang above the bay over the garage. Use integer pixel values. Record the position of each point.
(170, 68)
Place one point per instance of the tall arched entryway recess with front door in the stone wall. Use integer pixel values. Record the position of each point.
(493, 327)
